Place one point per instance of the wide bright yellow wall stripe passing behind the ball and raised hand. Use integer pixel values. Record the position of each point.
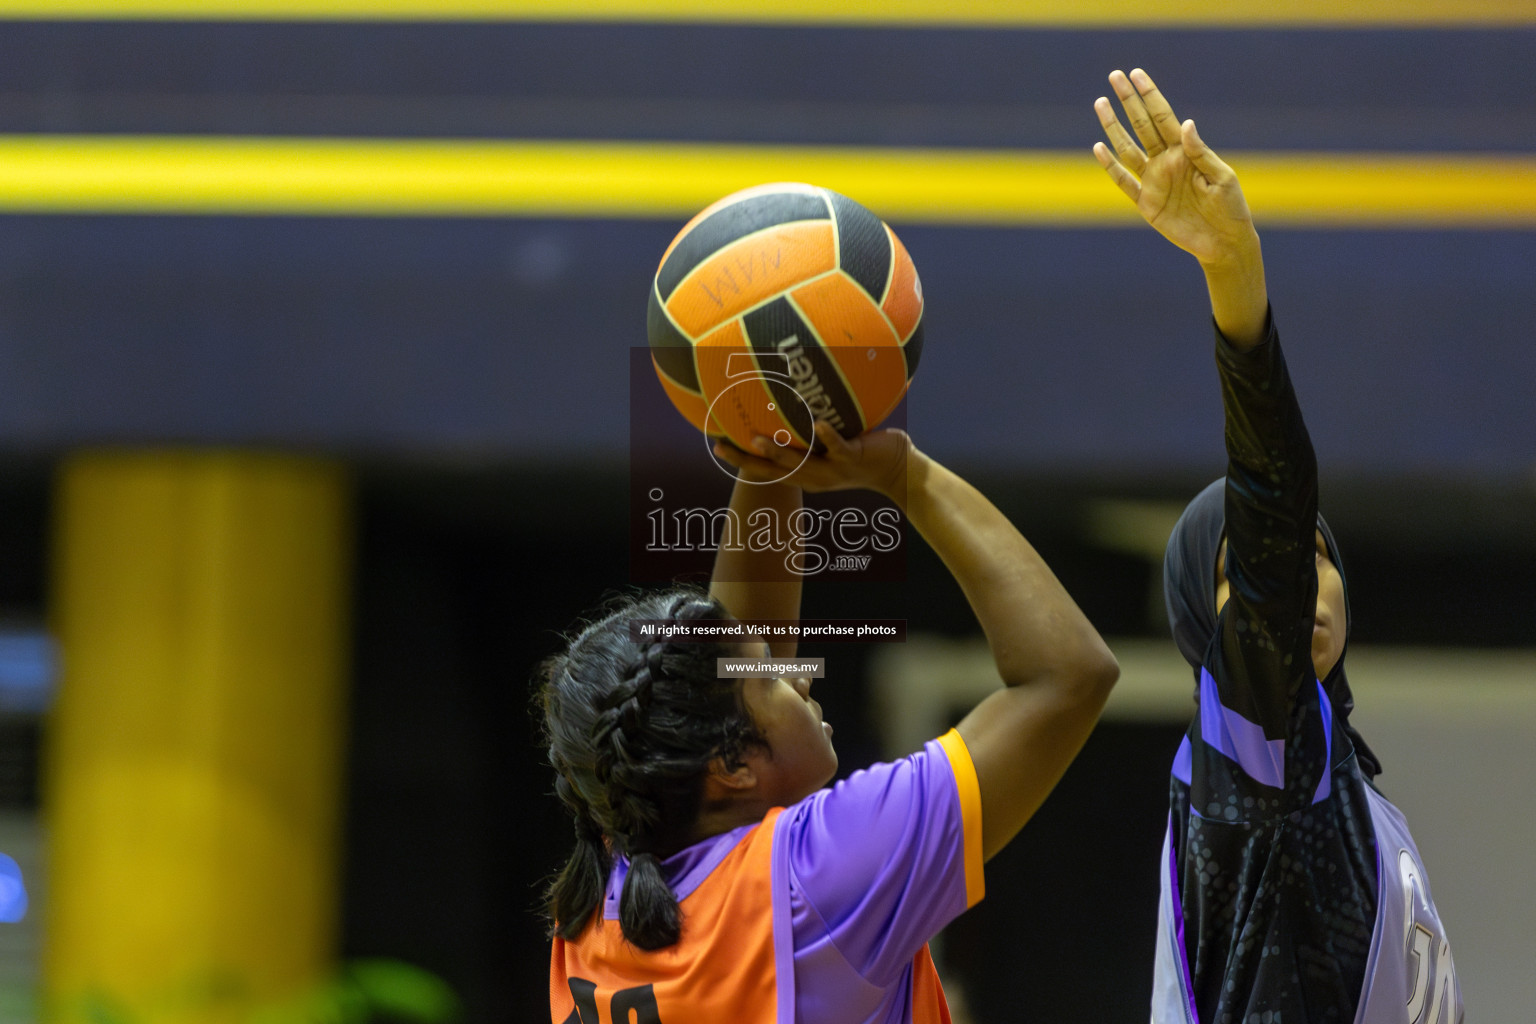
(251, 176)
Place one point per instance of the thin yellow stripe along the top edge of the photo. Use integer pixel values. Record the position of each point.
(975, 13)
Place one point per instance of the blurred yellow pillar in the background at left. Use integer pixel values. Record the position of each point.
(194, 756)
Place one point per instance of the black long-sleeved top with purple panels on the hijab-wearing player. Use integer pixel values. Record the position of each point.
(1273, 836)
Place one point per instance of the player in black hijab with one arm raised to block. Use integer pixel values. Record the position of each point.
(1293, 891)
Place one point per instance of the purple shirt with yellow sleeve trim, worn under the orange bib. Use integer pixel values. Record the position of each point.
(869, 871)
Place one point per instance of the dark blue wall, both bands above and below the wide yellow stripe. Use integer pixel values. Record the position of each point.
(508, 339)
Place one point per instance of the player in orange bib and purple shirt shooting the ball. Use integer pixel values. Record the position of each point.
(717, 877)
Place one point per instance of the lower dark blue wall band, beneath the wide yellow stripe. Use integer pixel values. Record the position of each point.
(511, 339)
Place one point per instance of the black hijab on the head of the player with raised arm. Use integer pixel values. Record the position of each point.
(1190, 587)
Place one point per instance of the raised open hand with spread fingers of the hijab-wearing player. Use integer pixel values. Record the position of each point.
(1179, 183)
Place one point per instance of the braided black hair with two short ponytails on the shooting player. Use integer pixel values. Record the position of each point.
(632, 730)
